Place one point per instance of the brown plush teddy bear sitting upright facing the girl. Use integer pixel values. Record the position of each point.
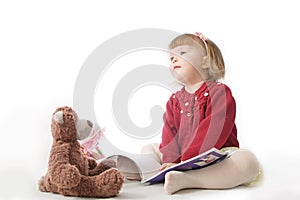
(70, 172)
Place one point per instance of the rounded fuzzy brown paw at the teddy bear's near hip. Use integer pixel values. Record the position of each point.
(65, 175)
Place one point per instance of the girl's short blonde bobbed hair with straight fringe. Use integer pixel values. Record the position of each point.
(216, 68)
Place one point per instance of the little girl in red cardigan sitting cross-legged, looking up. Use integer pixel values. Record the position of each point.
(200, 116)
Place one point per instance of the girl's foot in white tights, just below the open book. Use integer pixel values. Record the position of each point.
(174, 181)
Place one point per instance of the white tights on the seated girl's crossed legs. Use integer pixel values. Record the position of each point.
(240, 168)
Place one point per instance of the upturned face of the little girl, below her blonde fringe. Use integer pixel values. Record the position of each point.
(186, 63)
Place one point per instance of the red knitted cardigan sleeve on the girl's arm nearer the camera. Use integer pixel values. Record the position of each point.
(217, 128)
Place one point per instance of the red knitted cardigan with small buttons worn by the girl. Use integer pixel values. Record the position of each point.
(194, 123)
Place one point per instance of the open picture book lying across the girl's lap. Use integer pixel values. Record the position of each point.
(145, 168)
